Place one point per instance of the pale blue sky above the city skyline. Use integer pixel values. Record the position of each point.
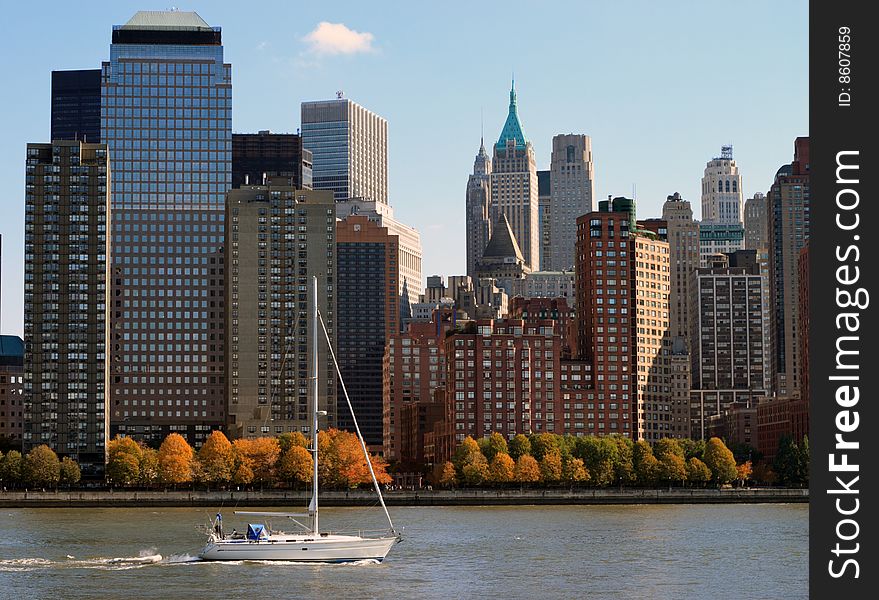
(659, 86)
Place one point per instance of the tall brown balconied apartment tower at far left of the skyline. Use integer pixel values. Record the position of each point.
(67, 216)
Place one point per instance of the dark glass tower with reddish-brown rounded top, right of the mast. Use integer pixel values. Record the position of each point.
(367, 316)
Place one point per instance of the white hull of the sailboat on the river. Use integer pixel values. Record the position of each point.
(325, 549)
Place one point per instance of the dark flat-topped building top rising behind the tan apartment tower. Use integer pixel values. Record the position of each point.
(256, 157)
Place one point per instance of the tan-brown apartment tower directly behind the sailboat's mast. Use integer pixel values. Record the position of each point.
(278, 238)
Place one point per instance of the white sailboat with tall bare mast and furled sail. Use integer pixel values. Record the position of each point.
(309, 544)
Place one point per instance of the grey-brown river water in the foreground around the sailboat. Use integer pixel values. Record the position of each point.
(641, 551)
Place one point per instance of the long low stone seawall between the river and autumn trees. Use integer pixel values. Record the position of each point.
(422, 497)
